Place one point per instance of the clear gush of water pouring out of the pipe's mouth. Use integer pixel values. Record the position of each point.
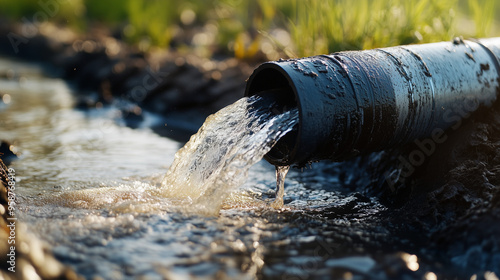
(216, 160)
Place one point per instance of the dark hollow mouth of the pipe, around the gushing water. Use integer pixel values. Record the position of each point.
(269, 80)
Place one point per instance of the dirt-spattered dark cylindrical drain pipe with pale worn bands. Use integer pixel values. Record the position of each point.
(362, 101)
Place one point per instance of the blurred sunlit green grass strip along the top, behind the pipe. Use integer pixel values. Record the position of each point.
(264, 29)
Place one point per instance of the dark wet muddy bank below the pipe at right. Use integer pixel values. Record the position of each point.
(449, 201)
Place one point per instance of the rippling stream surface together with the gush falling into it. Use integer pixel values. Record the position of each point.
(97, 193)
